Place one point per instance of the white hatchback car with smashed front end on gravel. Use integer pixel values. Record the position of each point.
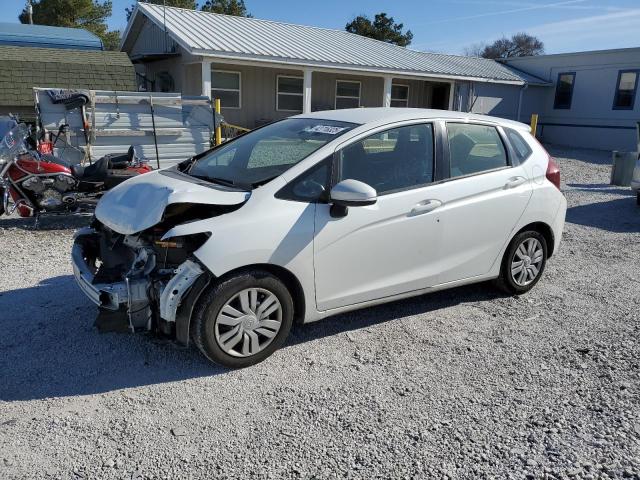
(319, 214)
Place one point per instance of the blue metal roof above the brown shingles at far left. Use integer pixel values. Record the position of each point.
(24, 35)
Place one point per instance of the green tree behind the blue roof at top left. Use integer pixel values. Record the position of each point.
(88, 14)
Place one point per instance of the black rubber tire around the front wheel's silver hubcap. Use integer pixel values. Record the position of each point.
(203, 328)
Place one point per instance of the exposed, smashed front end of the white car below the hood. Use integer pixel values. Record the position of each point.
(138, 279)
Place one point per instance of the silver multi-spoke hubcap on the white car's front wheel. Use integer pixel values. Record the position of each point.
(248, 322)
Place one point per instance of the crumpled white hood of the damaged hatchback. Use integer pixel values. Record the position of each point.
(139, 203)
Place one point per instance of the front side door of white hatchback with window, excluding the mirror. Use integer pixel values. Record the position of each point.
(386, 248)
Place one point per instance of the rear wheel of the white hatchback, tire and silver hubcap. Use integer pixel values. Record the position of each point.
(523, 263)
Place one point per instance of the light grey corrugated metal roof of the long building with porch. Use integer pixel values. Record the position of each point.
(240, 38)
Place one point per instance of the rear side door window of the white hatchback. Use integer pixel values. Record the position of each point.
(474, 148)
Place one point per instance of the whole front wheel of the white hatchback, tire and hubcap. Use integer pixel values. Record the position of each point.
(242, 320)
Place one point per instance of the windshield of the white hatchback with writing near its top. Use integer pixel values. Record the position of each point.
(259, 156)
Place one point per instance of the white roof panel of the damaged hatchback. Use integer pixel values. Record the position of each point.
(382, 115)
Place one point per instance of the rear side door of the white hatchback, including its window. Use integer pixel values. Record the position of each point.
(483, 199)
